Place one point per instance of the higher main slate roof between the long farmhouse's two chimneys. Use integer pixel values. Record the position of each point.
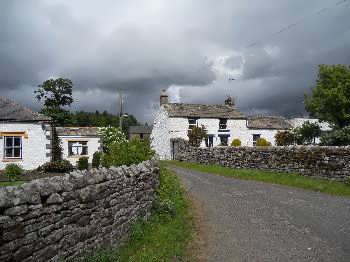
(204, 111)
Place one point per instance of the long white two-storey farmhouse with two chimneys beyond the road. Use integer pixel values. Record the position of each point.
(222, 122)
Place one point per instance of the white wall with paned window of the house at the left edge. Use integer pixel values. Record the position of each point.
(24, 144)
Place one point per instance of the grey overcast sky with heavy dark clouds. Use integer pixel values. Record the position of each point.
(189, 47)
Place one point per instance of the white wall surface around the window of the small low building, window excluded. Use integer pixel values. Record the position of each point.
(93, 144)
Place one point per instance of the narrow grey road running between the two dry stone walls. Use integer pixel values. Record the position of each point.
(253, 221)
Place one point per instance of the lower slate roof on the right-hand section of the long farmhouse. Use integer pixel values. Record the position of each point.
(268, 122)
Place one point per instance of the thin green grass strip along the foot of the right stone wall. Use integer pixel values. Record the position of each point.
(288, 179)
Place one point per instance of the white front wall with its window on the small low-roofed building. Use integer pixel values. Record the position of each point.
(74, 147)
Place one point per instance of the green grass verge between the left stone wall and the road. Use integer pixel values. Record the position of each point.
(165, 236)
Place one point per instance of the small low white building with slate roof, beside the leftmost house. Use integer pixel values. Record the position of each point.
(79, 142)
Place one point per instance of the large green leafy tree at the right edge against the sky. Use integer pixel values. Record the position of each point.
(330, 99)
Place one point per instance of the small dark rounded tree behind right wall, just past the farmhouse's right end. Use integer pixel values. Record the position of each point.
(307, 133)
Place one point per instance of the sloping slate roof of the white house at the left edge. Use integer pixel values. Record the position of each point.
(12, 111)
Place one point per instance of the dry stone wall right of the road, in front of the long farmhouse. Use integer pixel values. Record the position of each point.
(326, 162)
